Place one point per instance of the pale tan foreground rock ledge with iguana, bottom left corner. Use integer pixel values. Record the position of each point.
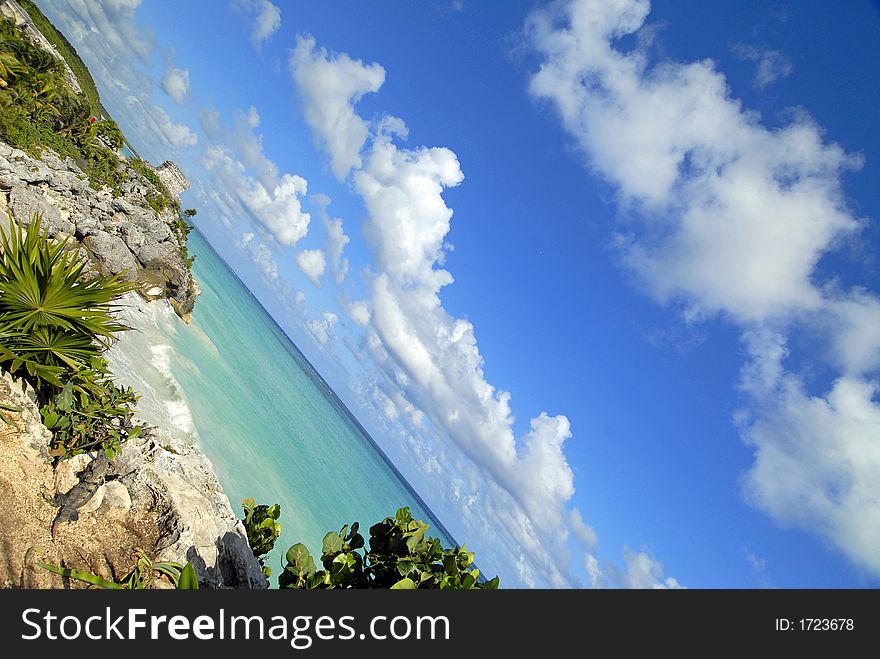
(88, 513)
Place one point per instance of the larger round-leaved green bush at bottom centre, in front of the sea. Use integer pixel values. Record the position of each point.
(400, 556)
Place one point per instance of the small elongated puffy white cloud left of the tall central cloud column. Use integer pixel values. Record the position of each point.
(276, 211)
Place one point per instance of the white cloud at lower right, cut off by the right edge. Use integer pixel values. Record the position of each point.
(817, 458)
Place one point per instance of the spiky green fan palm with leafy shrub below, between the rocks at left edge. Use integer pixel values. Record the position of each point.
(54, 328)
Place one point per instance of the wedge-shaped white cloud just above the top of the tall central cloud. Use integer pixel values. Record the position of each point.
(330, 85)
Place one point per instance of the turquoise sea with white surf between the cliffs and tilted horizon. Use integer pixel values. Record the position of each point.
(235, 385)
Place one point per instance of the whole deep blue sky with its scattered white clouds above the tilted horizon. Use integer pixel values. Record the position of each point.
(600, 277)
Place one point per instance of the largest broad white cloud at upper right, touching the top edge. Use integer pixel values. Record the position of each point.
(737, 215)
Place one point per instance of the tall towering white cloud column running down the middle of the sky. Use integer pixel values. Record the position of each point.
(434, 359)
